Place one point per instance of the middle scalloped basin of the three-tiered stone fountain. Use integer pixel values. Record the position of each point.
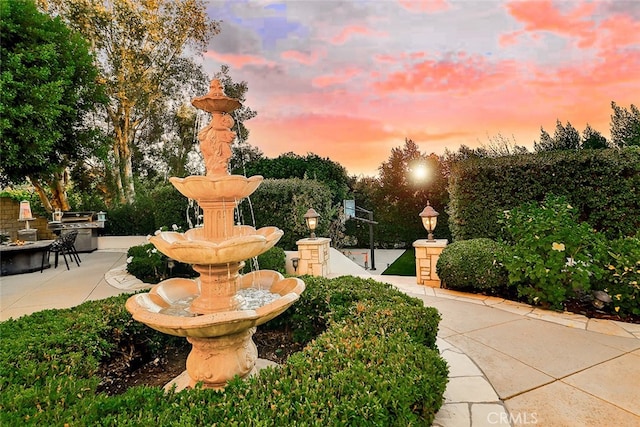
(244, 242)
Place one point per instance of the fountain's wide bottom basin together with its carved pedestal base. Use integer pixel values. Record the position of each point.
(227, 335)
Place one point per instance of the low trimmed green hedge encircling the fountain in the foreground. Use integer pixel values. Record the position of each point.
(371, 361)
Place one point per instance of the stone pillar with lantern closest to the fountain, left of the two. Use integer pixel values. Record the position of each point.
(313, 252)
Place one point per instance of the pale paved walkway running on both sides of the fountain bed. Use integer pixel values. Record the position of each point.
(510, 364)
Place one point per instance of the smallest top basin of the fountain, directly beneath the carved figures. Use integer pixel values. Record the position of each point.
(223, 188)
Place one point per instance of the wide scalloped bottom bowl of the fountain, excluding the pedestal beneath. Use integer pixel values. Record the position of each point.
(146, 307)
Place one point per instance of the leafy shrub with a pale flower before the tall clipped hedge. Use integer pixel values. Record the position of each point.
(551, 257)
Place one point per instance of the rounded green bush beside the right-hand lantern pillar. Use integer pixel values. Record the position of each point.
(472, 265)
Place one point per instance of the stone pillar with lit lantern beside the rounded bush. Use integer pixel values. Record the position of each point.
(428, 250)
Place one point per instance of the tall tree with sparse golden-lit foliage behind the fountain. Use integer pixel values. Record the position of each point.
(140, 47)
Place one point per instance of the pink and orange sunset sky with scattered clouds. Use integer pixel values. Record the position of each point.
(350, 80)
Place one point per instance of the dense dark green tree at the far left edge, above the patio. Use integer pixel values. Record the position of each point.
(47, 87)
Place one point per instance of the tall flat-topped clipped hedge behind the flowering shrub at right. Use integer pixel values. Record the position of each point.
(602, 184)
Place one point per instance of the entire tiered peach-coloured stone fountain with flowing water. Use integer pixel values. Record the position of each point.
(218, 312)
